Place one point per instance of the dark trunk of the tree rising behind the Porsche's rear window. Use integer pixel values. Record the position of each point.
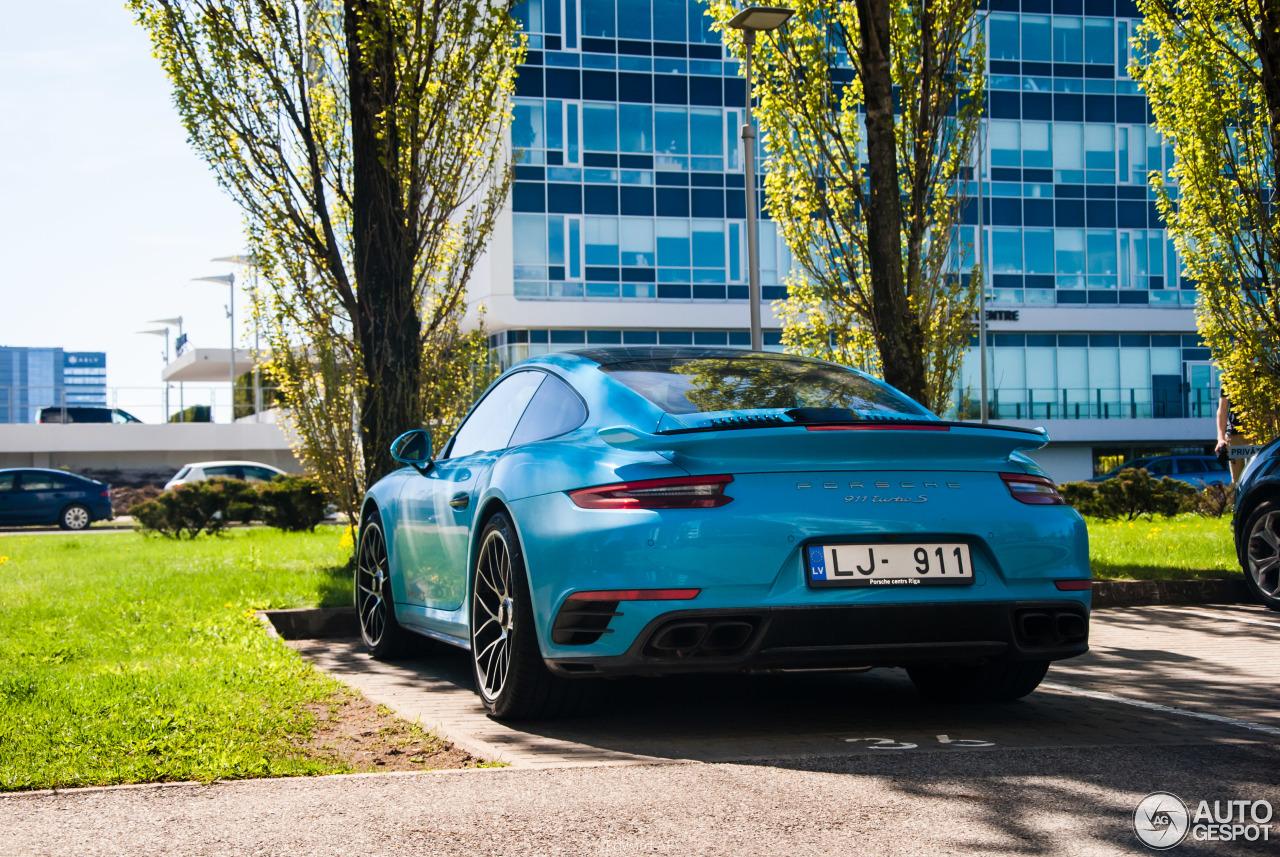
(902, 359)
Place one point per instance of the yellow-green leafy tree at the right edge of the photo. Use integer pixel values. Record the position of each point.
(1212, 71)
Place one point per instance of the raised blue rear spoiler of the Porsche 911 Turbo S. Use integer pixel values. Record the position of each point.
(880, 444)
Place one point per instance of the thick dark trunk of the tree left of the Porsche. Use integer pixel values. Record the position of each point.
(382, 248)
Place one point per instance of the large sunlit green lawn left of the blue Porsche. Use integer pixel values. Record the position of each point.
(130, 659)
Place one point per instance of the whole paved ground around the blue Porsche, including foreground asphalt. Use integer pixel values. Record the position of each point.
(1171, 699)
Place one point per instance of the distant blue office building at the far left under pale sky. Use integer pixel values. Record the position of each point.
(38, 378)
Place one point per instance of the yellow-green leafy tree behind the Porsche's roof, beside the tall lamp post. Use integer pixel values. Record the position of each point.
(868, 194)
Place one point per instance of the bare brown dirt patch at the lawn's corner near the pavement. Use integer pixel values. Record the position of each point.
(371, 739)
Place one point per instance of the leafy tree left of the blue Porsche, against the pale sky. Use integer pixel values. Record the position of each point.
(364, 143)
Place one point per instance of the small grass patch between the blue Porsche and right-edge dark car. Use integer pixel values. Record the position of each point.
(1181, 548)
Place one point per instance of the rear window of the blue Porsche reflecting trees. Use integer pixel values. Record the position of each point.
(702, 384)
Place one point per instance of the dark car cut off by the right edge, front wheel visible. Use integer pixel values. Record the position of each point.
(1258, 526)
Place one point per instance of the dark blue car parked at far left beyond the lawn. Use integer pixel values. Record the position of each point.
(34, 497)
